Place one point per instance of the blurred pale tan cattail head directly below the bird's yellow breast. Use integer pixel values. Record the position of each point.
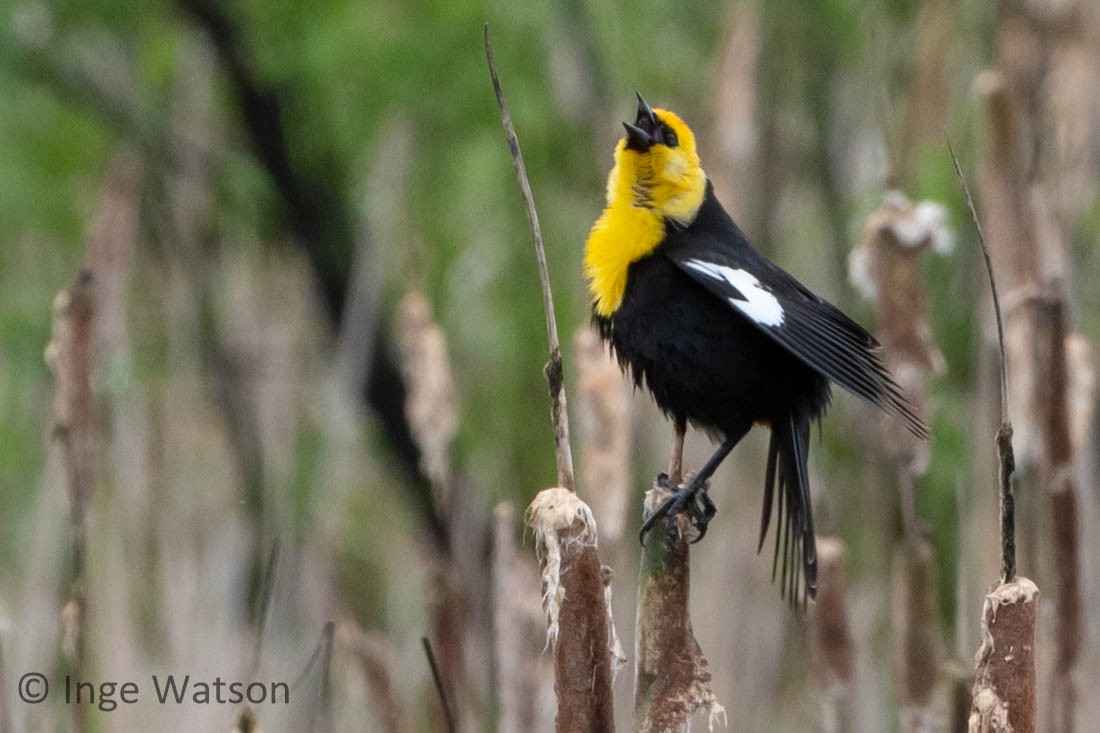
(603, 411)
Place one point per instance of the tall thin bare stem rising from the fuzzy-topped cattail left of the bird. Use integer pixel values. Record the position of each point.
(554, 370)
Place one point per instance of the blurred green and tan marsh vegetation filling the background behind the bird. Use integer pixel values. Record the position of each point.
(267, 183)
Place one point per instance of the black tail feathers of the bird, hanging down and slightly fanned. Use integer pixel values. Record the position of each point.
(795, 534)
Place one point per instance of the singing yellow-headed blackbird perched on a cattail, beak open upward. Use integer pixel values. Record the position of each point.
(720, 335)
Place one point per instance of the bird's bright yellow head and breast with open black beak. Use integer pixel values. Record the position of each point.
(657, 181)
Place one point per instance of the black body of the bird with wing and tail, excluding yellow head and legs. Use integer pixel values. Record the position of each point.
(724, 338)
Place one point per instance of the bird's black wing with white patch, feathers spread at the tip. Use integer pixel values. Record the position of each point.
(714, 253)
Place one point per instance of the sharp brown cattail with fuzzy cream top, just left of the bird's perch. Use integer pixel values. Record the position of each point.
(577, 600)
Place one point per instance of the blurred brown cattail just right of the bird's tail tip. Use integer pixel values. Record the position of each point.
(835, 660)
